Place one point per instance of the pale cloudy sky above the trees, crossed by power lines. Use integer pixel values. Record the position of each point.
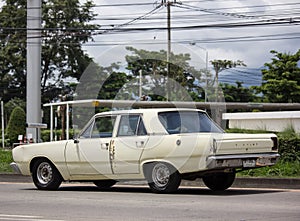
(244, 30)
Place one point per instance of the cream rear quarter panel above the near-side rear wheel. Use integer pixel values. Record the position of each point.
(186, 152)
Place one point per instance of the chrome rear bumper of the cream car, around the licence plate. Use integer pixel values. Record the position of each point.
(242, 160)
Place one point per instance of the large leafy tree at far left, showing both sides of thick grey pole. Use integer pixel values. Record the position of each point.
(65, 27)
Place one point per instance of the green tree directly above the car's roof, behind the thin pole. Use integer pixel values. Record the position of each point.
(177, 84)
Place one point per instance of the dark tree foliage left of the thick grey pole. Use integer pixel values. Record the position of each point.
(13, 49)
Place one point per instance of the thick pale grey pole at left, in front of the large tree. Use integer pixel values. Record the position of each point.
(33, 85)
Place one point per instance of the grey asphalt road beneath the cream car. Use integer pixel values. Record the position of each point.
(23, 202)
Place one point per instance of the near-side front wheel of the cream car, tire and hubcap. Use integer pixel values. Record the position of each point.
(45, 176)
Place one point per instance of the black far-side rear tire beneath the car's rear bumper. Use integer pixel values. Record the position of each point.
(219, 181)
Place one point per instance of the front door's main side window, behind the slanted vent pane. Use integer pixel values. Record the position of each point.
(103, 127)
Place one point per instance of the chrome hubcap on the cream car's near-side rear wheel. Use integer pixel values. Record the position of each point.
(160, 175)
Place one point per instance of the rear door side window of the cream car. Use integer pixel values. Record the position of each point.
(131, 125)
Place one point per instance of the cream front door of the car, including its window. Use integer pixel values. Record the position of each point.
(89, 155)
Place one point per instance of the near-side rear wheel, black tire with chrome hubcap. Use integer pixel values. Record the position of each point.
(162, 177)
